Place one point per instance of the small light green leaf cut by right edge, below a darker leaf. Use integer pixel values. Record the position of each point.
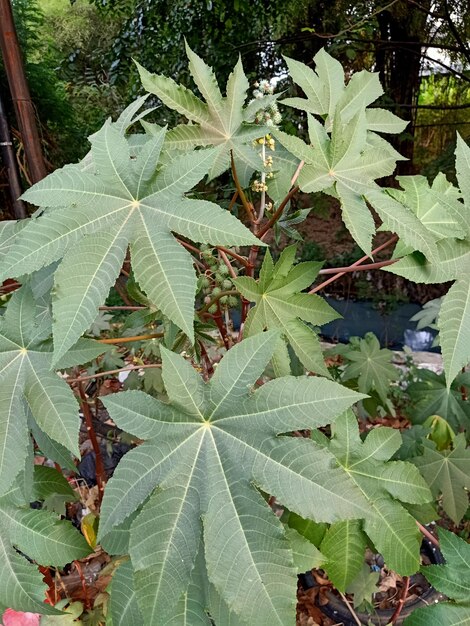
(447, 472)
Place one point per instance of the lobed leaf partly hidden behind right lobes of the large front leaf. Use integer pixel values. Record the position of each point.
(393, 531)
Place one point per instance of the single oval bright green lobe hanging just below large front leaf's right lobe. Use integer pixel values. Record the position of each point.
(344, 547)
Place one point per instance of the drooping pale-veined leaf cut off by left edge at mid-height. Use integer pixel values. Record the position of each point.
(25, 364)
